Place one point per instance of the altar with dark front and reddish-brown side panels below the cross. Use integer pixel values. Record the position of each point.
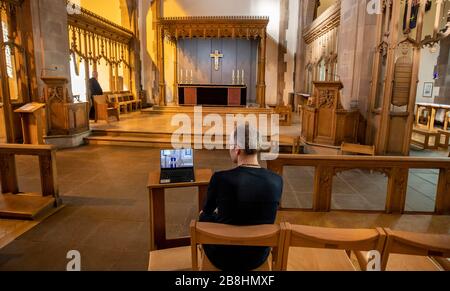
(212, 95)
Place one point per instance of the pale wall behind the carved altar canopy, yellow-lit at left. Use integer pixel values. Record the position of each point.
(270, 8)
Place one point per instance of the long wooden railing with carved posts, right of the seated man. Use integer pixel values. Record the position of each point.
(395, 168)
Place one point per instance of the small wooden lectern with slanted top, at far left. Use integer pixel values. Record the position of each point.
(32, 116)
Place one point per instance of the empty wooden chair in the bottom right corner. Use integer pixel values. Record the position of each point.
(408, 251)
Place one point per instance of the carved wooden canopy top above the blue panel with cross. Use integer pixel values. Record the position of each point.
(214, 27)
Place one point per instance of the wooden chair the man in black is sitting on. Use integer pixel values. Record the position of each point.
(221, 234)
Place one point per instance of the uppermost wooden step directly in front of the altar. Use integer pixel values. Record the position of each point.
(207, 110)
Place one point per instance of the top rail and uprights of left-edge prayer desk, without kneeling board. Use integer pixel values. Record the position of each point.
(47, 166)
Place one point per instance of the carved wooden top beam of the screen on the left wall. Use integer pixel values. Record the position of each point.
(89, 21)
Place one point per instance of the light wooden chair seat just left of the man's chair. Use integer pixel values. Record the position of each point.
(176, 259)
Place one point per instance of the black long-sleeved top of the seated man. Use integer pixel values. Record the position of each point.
(243, 196)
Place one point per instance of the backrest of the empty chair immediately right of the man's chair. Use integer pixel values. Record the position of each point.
(332, 238)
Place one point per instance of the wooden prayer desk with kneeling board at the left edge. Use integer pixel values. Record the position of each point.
(13, 203)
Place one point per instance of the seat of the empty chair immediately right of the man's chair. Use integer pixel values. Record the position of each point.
(306, 259)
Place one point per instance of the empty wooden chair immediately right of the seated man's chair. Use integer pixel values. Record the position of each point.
(309, 248)
